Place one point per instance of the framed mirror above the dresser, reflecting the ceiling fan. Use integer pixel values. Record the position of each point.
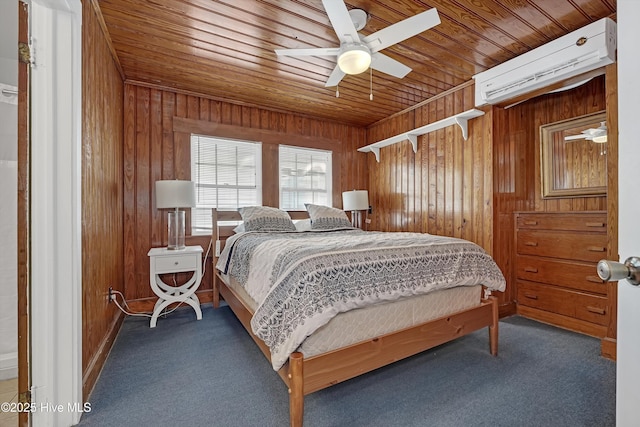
(573, 156)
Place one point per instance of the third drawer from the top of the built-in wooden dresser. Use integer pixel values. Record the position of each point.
(568, 274)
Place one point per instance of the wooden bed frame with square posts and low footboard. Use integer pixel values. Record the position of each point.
(306, 375)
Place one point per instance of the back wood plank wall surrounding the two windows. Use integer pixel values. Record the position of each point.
(157, 147)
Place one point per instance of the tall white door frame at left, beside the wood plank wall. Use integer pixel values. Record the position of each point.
(53, 234)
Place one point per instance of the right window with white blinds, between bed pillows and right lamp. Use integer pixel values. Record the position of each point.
(305, 177)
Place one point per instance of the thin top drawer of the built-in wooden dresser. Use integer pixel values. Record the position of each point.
(574, 221)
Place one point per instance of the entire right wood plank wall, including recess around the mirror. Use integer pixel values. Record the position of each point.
(470, 189)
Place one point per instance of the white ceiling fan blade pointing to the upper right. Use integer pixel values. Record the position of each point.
(402, 30)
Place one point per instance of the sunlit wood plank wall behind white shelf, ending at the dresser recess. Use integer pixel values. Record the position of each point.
(446, 188)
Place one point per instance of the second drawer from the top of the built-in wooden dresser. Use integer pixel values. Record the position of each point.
(562, 244)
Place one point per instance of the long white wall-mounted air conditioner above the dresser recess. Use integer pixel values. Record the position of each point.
(578, 53)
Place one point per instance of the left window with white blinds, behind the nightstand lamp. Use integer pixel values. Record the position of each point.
(227, 174)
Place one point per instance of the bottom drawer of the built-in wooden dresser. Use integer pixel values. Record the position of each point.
(590, 308)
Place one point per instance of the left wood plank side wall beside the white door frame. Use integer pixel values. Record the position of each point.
(102, 196)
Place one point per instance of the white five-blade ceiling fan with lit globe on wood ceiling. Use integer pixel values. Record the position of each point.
(357, 53)
